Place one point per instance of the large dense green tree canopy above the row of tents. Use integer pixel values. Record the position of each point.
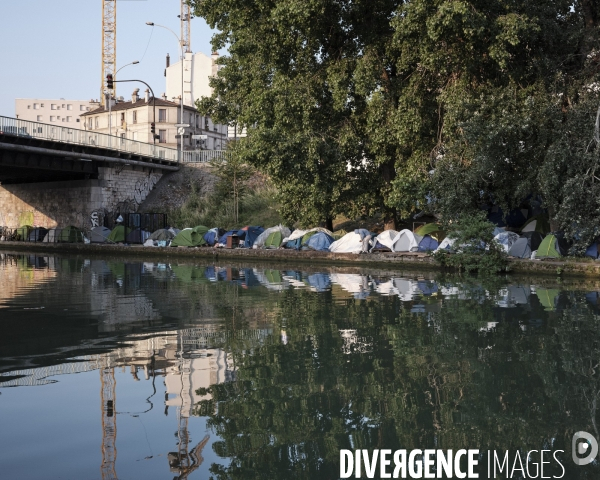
(390, 106)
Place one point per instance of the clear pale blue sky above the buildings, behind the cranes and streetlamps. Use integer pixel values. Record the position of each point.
(53, 49)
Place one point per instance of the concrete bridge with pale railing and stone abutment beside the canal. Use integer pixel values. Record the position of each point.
(54, 176)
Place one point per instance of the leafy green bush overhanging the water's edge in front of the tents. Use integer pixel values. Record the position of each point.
(474, 249)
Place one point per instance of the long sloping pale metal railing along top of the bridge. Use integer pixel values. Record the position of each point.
(57, 133)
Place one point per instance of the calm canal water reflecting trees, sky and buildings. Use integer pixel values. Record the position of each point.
(147, 370)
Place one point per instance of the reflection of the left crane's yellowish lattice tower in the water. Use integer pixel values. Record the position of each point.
(109, 423)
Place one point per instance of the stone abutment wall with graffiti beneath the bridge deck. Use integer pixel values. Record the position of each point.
(83, 203)
